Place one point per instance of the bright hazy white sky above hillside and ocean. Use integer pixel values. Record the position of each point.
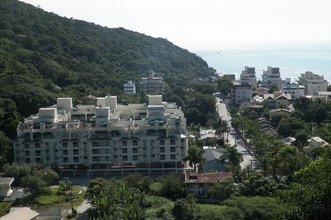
(207, 24)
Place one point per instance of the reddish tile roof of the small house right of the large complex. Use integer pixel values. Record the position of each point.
(207, 177)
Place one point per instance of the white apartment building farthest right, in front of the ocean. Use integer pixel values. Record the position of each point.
(313, 83)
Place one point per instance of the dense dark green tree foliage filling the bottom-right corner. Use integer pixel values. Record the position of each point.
(309, 195)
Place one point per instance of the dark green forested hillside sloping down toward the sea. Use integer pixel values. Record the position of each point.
(44, 56)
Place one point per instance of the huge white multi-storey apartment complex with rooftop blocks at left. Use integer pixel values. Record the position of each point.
(107, 137)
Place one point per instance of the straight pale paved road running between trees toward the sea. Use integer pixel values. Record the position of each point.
(233, 138)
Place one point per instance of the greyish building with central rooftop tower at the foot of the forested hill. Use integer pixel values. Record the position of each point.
(152, 84)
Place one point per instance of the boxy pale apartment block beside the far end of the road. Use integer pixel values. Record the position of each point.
(241, 92)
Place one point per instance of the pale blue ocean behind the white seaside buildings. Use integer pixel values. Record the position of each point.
(291, 59)
